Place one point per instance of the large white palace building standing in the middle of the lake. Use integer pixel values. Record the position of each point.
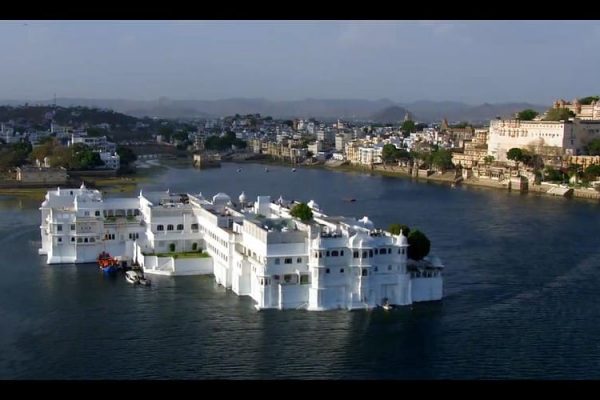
(256, 248)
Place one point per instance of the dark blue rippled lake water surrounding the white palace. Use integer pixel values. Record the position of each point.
(522, 285)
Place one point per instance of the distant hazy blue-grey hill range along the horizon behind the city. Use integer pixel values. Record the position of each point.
(383, 110)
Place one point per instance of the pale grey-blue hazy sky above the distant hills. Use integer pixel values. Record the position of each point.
(471, 61)
